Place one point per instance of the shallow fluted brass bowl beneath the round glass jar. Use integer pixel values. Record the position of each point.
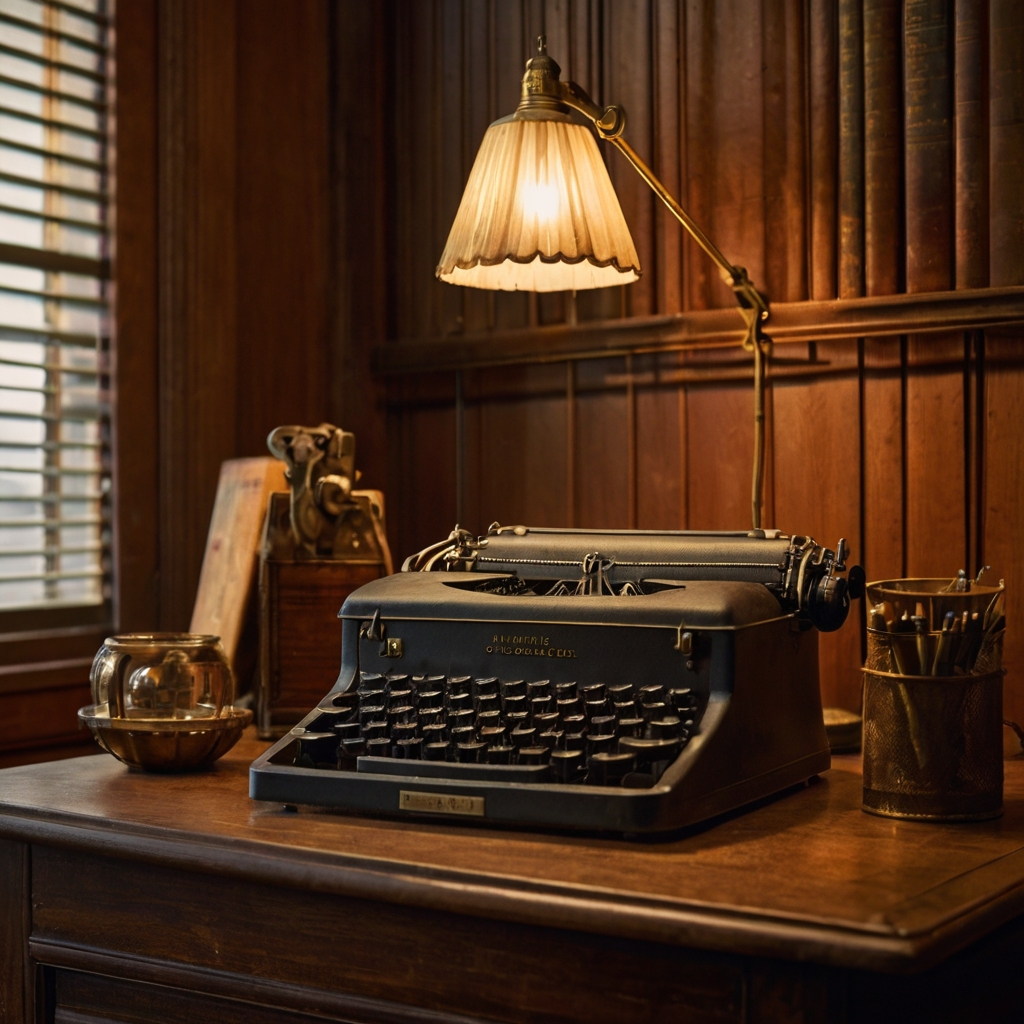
(166, 745)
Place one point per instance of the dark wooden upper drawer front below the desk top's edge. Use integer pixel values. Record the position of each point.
(374, 961)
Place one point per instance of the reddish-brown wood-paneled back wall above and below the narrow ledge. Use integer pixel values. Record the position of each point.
(836, 149)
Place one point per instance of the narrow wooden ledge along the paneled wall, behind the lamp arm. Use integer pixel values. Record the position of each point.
(836, 320)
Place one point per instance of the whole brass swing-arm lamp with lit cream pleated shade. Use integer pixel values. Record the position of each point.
(540, 215)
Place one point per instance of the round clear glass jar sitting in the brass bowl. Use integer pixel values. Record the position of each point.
(163, 677)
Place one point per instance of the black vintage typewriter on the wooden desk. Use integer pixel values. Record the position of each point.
(624, 680)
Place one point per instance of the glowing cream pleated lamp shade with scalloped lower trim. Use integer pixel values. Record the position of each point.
(539, 215)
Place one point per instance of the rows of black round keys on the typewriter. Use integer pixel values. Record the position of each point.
(563, 734)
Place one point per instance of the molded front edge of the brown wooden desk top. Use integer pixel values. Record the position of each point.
(879, 948)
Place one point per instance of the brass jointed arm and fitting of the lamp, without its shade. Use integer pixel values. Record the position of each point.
(546, 98)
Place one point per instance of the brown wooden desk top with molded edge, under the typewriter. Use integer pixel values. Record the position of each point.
(806, 876)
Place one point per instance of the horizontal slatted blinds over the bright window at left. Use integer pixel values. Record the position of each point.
(55, 476)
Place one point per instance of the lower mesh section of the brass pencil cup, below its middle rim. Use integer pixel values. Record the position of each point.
(933, 746)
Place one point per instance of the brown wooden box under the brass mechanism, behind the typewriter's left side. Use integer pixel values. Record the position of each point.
(301, 632)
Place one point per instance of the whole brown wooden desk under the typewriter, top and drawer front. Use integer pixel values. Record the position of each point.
(133, 898)
